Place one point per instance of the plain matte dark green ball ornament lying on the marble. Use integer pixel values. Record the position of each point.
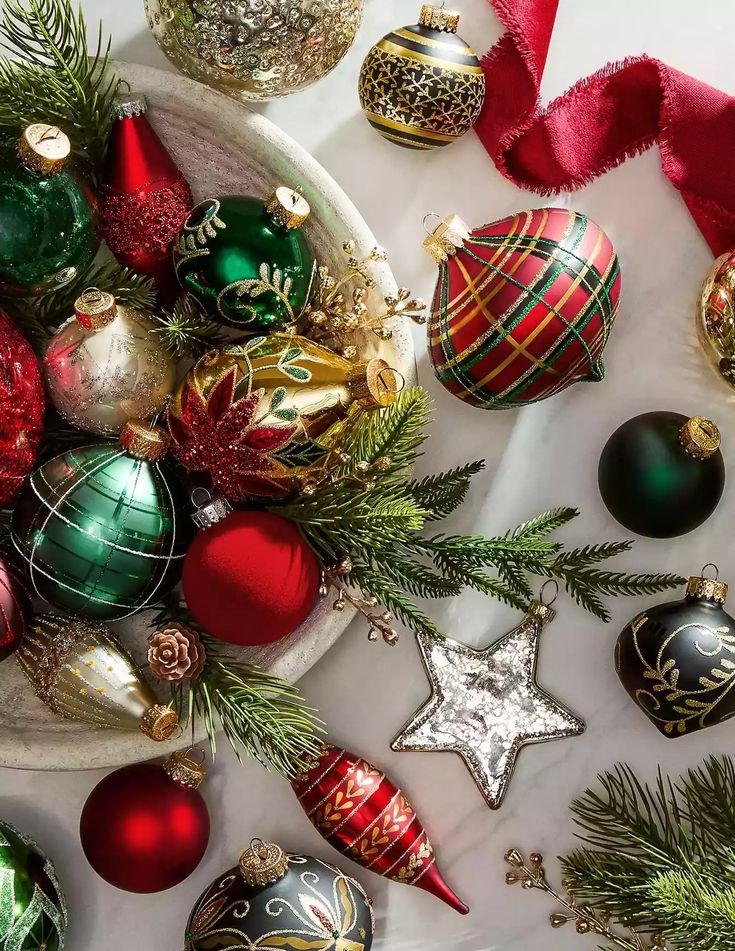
(662, 474)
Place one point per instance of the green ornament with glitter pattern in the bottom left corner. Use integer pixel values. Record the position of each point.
(33, 913)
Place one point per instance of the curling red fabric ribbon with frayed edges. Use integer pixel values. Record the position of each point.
(617, 112)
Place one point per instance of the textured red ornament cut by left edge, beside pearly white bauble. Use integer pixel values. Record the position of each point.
(22, 407)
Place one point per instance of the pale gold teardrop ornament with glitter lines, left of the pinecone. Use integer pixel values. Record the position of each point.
(81, 672)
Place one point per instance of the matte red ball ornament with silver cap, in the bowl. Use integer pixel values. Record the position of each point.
(250, 577)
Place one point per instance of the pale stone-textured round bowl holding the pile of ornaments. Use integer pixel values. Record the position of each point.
(223, 148)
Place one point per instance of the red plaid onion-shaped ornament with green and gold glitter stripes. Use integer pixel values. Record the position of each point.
(523, 307)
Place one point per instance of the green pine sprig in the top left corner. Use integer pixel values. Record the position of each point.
(51, 76)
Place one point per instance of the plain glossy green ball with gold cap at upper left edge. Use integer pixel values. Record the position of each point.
(48, 220)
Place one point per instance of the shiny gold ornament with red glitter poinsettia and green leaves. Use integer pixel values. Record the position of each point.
(256, 417)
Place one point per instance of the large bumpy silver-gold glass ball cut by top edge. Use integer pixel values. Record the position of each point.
(255, 50)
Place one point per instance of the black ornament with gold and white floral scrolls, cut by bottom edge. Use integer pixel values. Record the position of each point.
(274, 899)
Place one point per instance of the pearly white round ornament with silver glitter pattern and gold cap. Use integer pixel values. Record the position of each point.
(105, 366)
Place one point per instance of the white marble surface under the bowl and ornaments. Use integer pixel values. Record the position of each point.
(542, 456)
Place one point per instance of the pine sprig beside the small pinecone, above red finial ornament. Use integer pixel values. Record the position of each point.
(260, 714)
